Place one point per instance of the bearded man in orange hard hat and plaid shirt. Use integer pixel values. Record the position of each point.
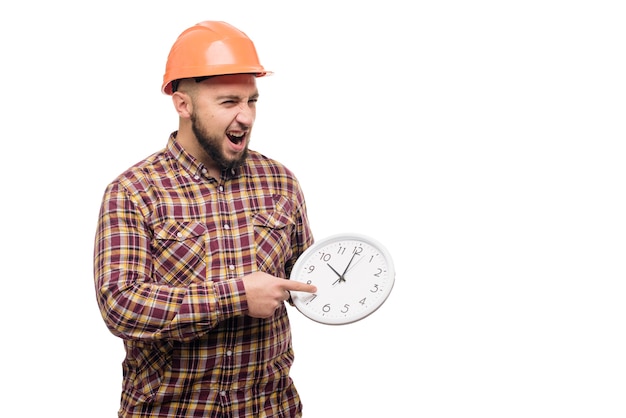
(194, 244)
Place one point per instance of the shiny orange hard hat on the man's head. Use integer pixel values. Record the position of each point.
(211, 48)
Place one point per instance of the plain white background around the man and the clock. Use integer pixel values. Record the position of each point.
(481, 141)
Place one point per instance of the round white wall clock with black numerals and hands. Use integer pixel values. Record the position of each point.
(353, 273)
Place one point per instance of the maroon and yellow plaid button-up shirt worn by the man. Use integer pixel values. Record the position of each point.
(171, 247)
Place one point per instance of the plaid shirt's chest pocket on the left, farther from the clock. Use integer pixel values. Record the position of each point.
(179, 250)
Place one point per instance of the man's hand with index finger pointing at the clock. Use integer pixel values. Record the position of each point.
(265, 293)
